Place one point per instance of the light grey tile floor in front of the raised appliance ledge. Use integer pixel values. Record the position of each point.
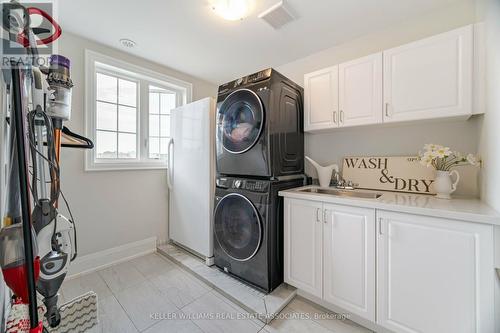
(152, 294)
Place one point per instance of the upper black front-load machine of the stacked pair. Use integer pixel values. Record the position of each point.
(260, 126)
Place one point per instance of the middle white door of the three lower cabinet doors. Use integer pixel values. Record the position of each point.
(349, 259)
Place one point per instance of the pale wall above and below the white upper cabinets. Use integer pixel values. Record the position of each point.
(400, 139)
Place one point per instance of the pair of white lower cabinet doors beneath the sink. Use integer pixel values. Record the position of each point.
(330, 253)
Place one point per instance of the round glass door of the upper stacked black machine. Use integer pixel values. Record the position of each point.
(240, 121)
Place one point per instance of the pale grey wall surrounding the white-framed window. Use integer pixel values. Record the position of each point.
(113, 208)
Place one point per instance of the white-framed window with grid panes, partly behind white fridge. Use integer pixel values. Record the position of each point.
(128, 114)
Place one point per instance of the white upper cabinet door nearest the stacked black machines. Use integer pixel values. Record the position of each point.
(321, 99)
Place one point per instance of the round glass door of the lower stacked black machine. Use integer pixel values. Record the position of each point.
(237, 227)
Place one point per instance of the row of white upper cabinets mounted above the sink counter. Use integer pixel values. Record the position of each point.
(431, 78)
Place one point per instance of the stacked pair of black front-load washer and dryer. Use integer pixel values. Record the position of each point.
(260, 151)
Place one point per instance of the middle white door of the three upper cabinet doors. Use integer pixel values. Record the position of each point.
(360, 91)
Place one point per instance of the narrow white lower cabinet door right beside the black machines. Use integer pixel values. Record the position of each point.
(303, 245)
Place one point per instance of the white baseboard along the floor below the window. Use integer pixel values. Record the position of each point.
(96, 261)
